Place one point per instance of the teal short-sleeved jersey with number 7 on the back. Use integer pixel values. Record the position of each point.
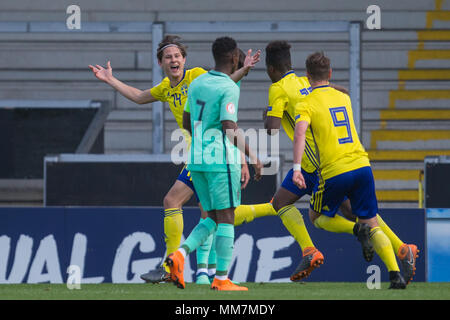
(212, 98)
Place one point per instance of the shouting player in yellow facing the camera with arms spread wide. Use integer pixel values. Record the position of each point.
(173, 89)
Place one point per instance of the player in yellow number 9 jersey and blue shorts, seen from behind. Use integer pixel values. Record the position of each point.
(344, 167)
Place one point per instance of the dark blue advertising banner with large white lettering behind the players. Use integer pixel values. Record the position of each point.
(38, 245)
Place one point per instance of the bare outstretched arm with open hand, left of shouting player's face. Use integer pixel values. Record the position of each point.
(134, 94)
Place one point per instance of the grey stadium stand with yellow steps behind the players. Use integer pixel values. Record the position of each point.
(405, 72)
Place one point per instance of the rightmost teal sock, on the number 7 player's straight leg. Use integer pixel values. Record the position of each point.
(224, 248)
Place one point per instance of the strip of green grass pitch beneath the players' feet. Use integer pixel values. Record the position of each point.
(257, 291)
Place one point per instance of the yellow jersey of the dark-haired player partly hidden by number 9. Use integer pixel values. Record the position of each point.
(283, 96)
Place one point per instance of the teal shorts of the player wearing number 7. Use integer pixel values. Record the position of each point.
(217, 190)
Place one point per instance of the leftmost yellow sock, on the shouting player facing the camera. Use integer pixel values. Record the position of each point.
(173, 230)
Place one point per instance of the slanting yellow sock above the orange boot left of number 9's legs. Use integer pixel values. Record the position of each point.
(293, 221)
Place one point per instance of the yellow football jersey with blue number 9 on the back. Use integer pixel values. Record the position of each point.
(330, 117)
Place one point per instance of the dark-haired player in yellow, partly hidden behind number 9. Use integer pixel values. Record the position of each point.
(286, 90)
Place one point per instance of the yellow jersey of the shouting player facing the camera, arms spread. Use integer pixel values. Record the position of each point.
(176, 96)
